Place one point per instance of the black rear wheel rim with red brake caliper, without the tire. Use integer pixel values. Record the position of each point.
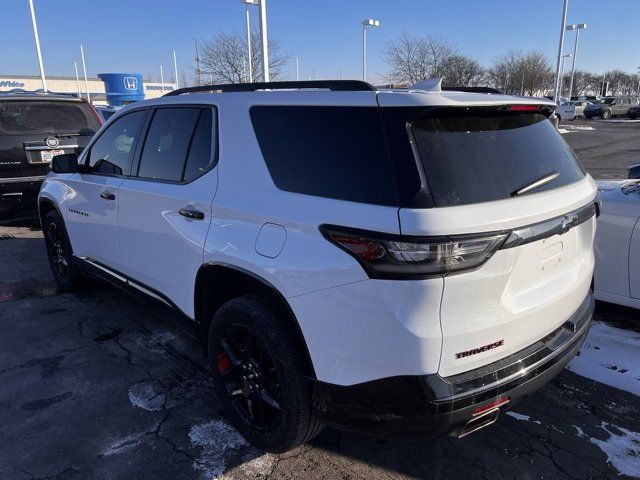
(251, 380)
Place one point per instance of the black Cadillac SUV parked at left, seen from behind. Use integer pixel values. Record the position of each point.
(33, 128)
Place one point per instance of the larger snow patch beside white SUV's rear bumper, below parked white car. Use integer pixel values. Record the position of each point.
(612, 356)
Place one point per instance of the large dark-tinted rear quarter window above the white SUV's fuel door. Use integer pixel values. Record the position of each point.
(333, 152)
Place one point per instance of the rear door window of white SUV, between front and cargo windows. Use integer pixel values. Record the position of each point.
(178, 145)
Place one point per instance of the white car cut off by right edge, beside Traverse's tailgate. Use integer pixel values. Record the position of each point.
(617, 275)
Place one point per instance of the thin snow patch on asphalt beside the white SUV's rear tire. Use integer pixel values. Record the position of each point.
(220, 441)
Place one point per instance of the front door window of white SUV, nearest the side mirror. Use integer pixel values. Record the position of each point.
(112, 153)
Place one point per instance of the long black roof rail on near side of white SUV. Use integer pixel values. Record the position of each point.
(334, 85)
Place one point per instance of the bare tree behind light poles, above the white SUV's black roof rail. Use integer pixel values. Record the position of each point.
(224, 58)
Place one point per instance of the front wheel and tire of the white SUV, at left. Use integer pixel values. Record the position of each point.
(59, 253)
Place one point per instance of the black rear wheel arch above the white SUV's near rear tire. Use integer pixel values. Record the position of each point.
(218, 283)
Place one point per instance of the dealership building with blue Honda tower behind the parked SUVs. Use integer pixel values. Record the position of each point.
(108, 89)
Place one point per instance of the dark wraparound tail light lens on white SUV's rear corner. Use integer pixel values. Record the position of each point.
(397, 256)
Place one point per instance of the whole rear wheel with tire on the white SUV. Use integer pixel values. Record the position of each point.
(260, 373)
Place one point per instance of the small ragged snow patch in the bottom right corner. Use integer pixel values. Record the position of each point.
(623, 451)
